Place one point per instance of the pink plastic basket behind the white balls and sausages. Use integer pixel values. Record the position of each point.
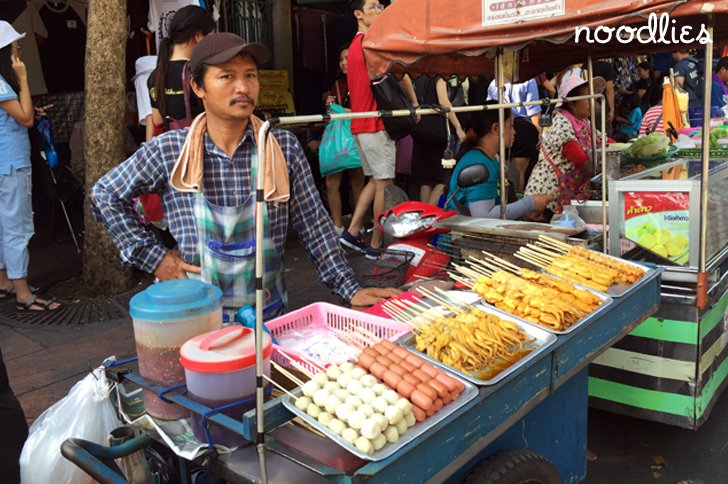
(334, 317)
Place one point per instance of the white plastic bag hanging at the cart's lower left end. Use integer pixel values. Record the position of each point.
(86, 413)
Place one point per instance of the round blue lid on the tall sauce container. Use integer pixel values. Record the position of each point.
(175, 300)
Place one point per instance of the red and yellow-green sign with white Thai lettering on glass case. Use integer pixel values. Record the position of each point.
(659, 222)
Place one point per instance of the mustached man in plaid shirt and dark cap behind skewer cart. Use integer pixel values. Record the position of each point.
(229, 89)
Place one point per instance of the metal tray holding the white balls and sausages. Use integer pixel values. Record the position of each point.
(415, 432)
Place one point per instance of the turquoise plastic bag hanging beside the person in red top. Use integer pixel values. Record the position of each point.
(338, 149)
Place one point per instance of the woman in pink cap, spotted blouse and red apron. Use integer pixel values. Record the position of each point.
(563, 165)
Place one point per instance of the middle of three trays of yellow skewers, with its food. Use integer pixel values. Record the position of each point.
(552, 303)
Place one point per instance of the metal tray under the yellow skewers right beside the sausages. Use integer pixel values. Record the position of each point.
(543, 340)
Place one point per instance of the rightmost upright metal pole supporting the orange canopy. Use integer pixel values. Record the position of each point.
(702, 295)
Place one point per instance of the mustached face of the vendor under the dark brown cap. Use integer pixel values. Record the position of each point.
(231, 89)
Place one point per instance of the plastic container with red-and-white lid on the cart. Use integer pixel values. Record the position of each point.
(220, 370)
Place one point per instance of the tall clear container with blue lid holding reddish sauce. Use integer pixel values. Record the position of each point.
(165, 316)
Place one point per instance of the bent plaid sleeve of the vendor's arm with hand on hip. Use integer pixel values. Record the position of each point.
(111, 204)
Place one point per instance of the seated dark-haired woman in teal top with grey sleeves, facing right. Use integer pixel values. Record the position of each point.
(483, 200)
